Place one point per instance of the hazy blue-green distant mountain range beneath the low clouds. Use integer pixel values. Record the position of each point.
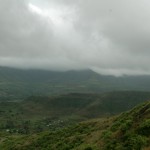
(17, 84)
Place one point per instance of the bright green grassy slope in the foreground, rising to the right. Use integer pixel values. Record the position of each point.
(128, 131)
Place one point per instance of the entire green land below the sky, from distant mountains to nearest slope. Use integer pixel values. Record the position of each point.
(56, 120)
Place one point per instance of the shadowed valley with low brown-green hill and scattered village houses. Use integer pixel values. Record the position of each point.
(39, 113)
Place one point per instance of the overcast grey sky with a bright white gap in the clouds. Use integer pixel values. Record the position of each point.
(107, 36)
